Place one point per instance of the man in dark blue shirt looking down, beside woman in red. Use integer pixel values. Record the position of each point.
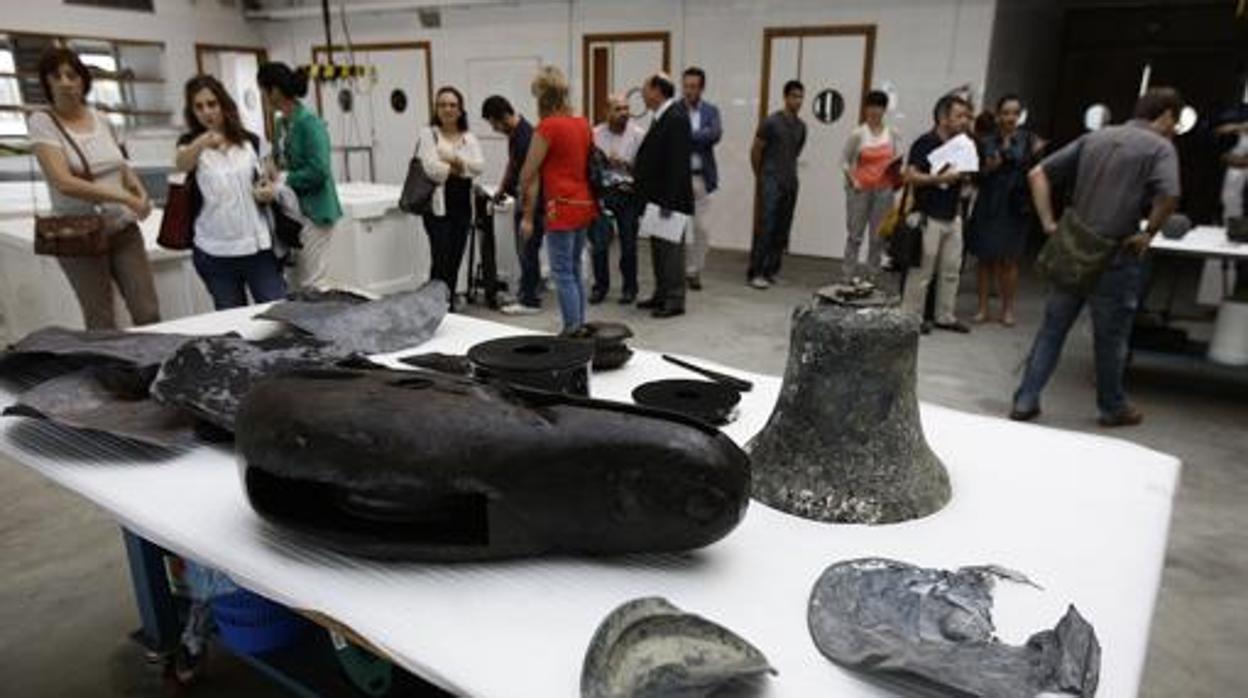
(520, 133)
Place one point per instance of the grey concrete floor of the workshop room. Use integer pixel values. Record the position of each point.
(67, 607)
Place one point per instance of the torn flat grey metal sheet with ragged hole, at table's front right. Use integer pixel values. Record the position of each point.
(930, 632)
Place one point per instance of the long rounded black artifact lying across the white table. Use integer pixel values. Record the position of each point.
(427, 466)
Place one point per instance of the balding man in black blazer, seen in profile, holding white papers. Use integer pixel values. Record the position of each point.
(663, 178)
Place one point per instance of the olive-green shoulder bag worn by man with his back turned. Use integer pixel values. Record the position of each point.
(1075, 257)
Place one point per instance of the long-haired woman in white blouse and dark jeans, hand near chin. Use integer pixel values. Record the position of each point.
(234, 244)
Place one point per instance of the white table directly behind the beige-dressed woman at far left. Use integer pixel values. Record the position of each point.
(34, 292)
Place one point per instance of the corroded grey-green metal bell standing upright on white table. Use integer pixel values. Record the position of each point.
(846, 443)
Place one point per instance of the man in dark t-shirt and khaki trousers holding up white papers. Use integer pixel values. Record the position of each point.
(938, 199)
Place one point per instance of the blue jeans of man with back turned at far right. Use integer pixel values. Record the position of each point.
(1114, 307)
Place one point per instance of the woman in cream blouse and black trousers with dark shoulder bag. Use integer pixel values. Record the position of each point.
(452, 158)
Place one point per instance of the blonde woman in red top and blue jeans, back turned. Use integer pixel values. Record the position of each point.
(560, 154)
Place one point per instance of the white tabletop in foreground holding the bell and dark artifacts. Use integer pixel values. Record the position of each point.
(1085, 516)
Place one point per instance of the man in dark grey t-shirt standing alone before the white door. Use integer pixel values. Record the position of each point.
(774, 158)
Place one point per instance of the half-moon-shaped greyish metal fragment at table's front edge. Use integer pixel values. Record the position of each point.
(650, 649)
